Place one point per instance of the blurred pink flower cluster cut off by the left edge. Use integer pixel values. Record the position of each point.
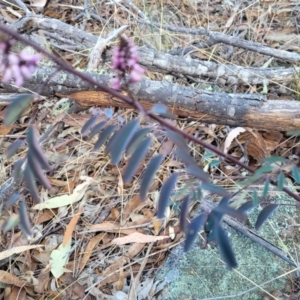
(16, 66)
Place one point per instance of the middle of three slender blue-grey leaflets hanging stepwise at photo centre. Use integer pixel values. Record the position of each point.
(149, 174)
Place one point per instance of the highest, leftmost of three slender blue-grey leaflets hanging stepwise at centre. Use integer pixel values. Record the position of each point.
(136, 159)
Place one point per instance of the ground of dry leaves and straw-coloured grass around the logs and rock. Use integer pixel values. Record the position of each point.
(89, 201)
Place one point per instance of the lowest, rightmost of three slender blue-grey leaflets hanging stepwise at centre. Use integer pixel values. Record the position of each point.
(165, 194)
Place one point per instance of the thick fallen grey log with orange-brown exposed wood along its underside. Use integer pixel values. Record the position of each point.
(250, 110)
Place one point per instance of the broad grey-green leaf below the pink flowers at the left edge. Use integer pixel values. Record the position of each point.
(16, 108)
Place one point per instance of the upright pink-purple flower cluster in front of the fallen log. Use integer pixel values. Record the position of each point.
(125, 58)
